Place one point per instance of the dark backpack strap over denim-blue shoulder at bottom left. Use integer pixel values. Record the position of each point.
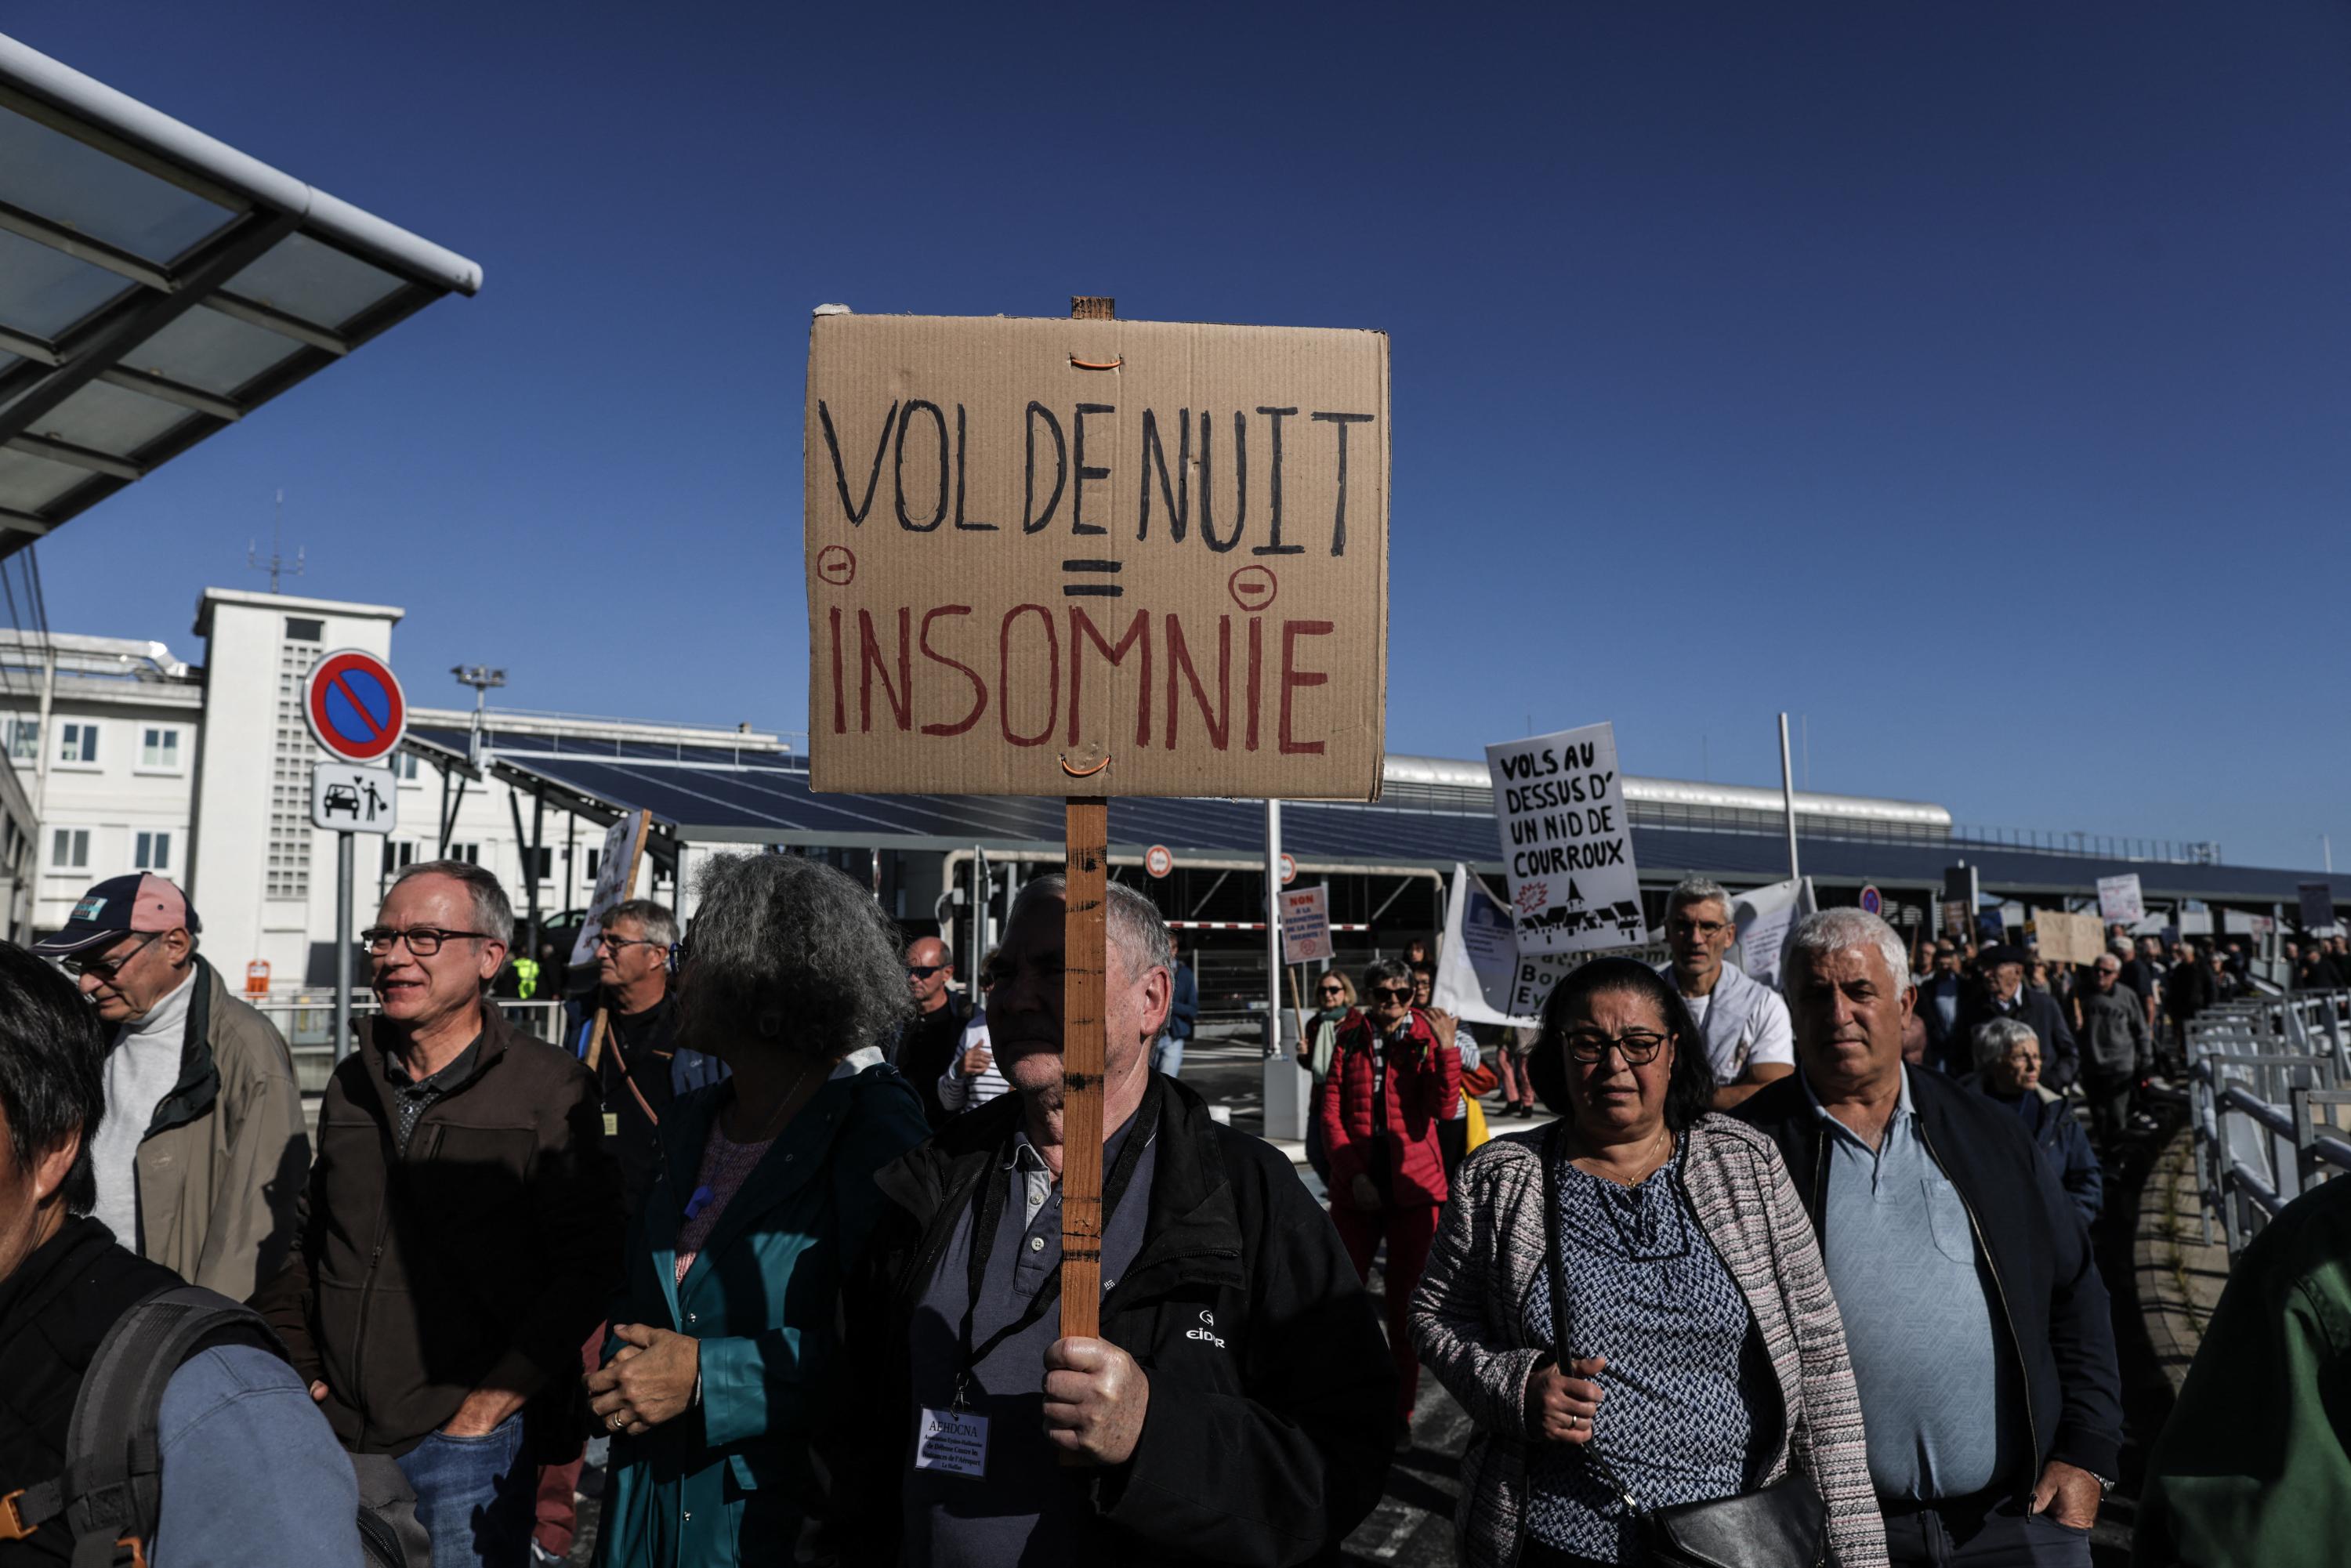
(112, 1492)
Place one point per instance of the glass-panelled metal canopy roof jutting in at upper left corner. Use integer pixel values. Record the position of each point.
(159, 286)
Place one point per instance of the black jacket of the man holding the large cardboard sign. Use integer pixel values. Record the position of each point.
(1264, 1445)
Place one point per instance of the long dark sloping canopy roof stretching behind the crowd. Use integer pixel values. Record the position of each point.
(763, 798)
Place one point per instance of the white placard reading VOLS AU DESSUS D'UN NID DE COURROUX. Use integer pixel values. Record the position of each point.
(1567, 843)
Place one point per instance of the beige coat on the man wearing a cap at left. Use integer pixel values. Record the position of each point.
(227, 1155)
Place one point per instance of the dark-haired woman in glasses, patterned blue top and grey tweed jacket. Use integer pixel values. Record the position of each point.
(1630, 1306)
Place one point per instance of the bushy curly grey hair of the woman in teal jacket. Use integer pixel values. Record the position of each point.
(789, 949)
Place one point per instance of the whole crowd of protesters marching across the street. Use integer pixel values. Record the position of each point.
(777, 1231)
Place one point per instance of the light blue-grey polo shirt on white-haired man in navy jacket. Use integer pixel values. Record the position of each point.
(1938, 1391)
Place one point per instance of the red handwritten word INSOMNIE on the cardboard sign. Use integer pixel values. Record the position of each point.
(930, 674)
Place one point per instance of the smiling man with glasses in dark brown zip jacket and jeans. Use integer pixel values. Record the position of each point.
(462, 1231)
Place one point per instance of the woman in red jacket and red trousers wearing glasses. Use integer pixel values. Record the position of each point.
(1388, 1090)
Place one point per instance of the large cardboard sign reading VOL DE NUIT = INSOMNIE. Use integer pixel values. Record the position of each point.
(1097, 558)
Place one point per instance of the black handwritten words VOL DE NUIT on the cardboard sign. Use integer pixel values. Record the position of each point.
(1184, 464)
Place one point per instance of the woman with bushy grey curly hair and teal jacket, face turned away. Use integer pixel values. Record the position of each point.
(725, 1348)
